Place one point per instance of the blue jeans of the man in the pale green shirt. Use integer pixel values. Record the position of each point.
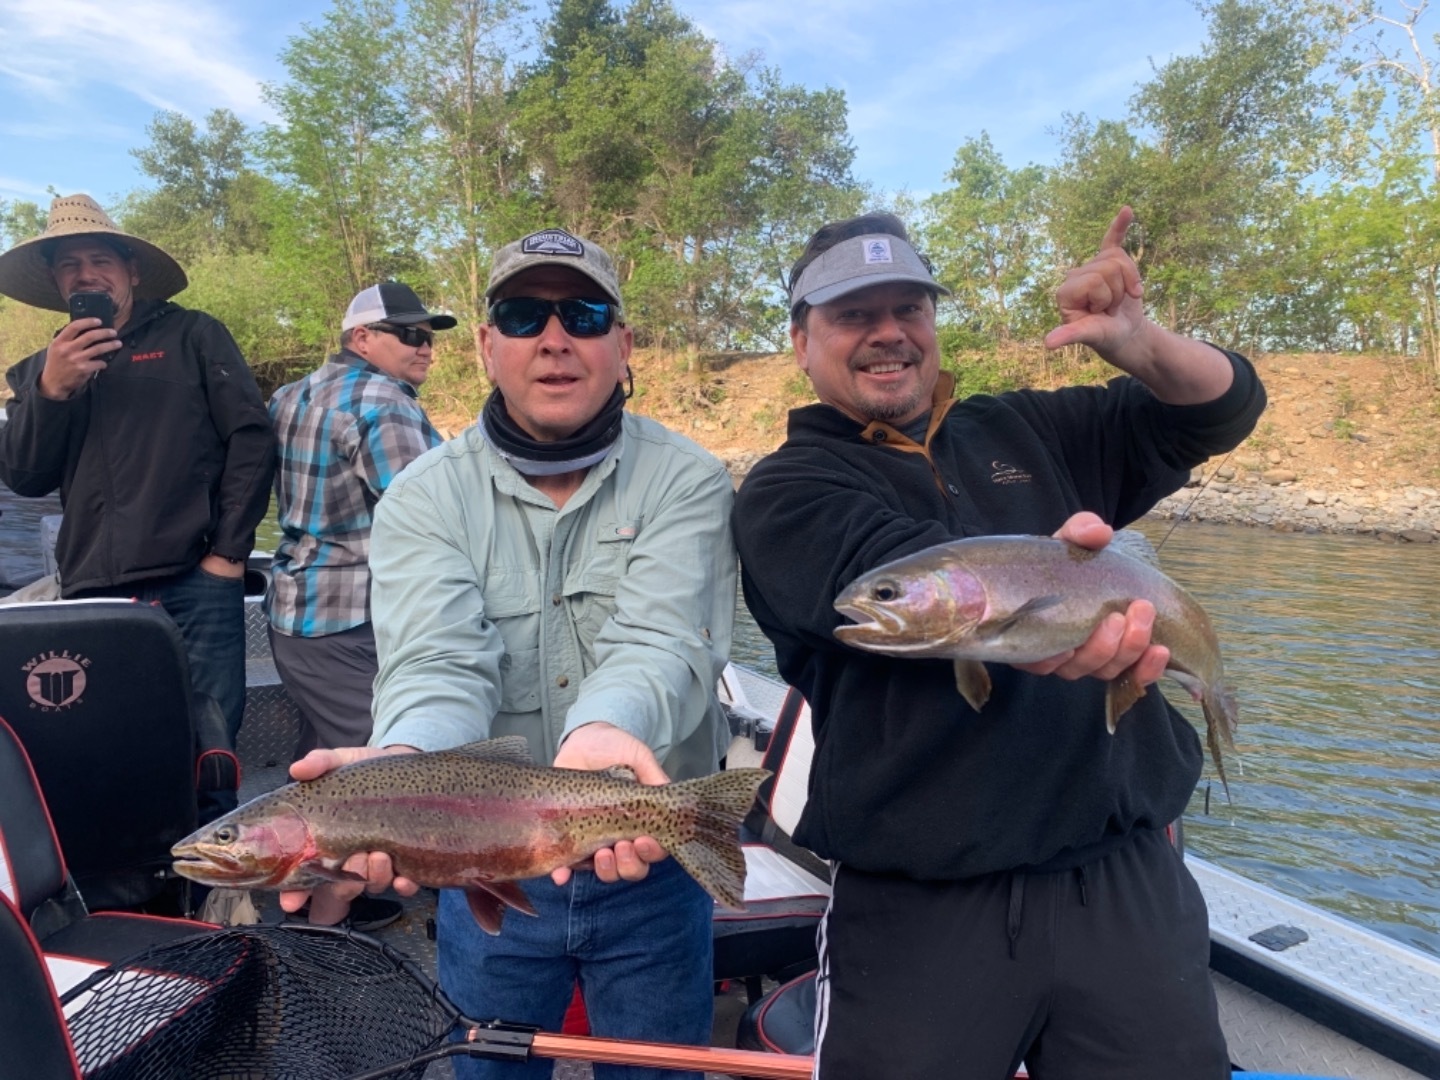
(642, 953)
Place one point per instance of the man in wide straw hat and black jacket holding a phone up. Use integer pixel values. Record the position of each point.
(155, 434)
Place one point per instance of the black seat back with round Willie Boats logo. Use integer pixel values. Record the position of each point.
(99, 693)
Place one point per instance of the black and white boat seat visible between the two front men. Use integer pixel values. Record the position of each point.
(787, 888)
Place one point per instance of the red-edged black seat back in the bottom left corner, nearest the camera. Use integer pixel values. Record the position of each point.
(34, 1039)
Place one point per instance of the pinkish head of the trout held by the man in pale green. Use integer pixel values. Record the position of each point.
(247, 849)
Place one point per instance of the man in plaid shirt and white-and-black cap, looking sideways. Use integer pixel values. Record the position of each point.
(345, 434)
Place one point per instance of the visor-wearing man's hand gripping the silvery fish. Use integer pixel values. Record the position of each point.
(1121, 643)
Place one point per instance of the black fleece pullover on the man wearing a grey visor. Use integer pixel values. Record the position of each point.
(908, 780)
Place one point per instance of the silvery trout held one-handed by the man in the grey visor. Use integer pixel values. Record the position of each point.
(1016, 600)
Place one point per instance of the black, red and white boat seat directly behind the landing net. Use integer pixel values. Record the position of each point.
(35, 881)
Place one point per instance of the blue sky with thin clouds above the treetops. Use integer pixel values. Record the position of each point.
(80, 80)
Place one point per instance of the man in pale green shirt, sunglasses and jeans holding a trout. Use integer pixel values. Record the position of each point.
(561, 571)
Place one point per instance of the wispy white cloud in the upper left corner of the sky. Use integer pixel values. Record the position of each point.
(184, 55)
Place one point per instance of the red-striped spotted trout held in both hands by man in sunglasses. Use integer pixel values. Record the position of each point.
(479, 819)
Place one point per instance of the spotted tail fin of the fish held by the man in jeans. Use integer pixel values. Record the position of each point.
(711, 850)
